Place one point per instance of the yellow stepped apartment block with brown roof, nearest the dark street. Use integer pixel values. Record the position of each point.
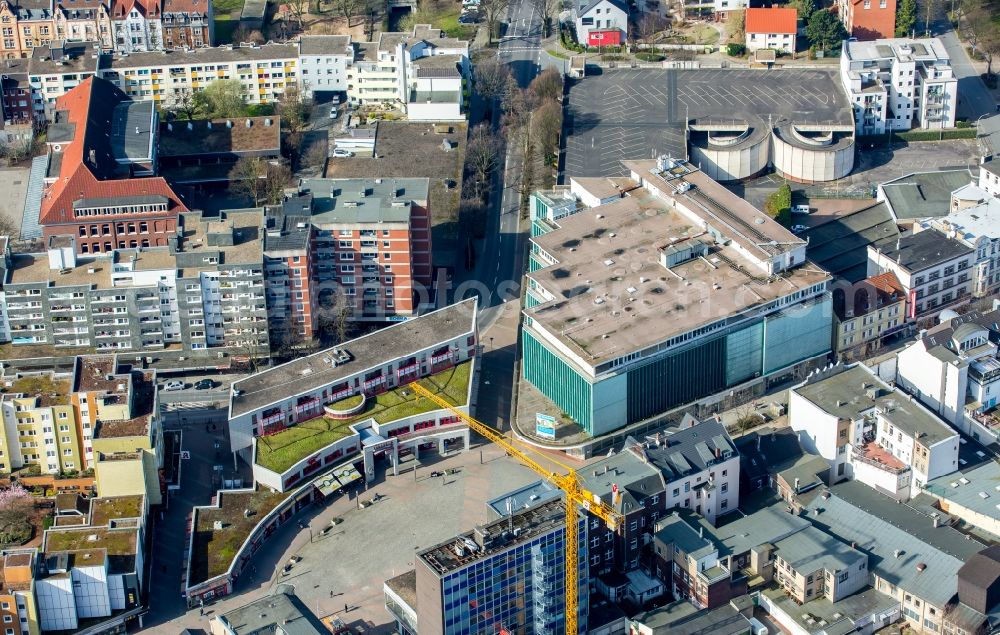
(119, 419)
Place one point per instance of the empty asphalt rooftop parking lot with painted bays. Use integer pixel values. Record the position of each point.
(640, 113)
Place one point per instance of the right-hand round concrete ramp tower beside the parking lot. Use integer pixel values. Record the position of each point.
(812, 155)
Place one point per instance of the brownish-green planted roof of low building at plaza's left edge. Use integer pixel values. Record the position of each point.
(213, 550)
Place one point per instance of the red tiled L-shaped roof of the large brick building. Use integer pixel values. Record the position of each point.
(76, 179)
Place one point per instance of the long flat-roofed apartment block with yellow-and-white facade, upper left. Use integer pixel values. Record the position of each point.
(263, 71)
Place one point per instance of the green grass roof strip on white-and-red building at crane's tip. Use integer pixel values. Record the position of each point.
(280, 451)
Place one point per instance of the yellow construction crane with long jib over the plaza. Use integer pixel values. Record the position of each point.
(569, 483)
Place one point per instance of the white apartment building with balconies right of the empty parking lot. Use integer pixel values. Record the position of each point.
(899, 84)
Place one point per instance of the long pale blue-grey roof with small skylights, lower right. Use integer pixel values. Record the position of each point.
(880, 527)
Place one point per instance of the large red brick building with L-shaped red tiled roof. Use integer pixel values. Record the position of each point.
(99, 186)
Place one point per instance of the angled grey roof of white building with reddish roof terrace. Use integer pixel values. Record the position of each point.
(840, 392)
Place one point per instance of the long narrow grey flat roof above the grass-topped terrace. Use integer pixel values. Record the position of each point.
(305, 374)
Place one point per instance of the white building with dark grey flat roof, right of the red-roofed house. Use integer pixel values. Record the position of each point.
(934, 271)
